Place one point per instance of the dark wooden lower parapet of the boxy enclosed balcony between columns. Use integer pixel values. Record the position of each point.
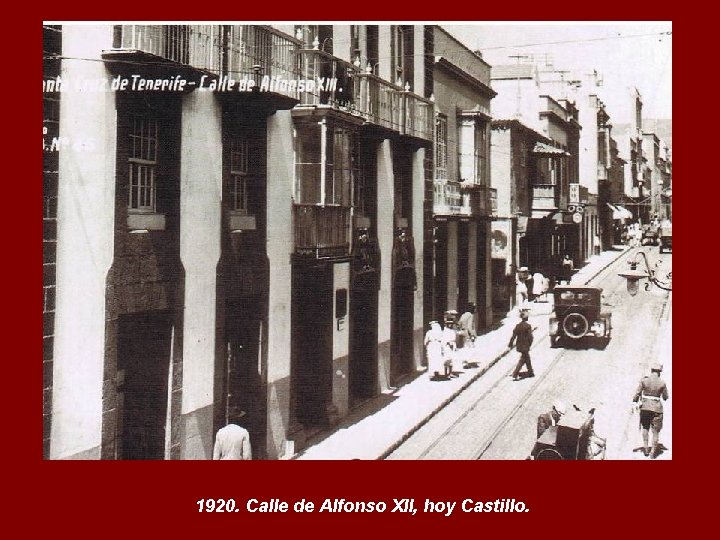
(321, 231)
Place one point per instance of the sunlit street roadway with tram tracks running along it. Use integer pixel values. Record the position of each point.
(495, 417)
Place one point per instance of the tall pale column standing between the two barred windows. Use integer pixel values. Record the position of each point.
(200, 215)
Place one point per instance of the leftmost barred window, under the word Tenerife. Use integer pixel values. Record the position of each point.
(143, 163)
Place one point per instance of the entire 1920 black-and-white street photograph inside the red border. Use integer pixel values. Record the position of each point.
(394, 240)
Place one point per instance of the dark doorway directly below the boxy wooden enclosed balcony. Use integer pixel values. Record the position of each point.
(312, 311)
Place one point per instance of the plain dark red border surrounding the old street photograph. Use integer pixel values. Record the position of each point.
(104, 498)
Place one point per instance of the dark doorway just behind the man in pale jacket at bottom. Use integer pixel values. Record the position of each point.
(244, 388)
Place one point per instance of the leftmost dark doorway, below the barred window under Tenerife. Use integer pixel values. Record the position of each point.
(143, 361)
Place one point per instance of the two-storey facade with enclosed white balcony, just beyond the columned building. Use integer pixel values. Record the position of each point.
(463, 200)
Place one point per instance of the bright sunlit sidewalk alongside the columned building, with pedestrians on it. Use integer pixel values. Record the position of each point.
(375, 429)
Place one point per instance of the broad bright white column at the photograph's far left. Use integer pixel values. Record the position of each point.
(86, 213)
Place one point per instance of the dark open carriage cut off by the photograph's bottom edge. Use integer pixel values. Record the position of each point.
(572, 438)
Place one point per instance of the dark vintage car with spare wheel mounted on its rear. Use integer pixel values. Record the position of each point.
(578, 313)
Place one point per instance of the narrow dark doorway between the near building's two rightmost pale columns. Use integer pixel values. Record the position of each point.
(401, 362)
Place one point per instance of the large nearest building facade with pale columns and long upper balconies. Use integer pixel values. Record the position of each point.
(241, 219)
